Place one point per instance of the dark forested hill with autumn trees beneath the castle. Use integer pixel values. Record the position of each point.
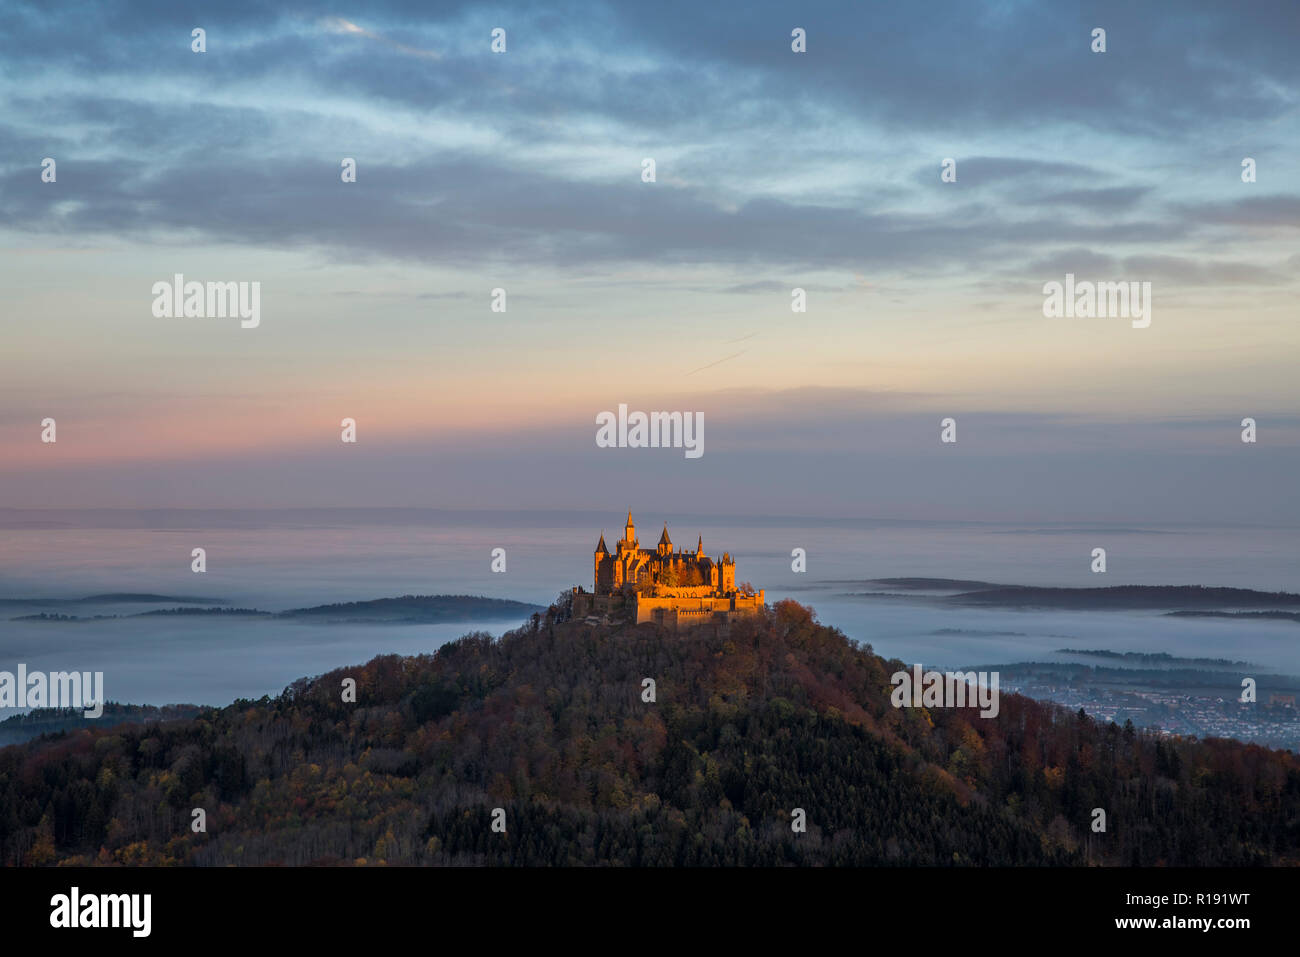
(549, 725)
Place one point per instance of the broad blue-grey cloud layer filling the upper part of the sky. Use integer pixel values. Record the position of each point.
(531, 158)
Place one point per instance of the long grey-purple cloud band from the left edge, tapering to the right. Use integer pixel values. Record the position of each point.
(476, 213)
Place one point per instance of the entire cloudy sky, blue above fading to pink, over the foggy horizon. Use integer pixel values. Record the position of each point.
(774, 170)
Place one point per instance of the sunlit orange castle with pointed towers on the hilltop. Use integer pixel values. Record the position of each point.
(661, 586)
